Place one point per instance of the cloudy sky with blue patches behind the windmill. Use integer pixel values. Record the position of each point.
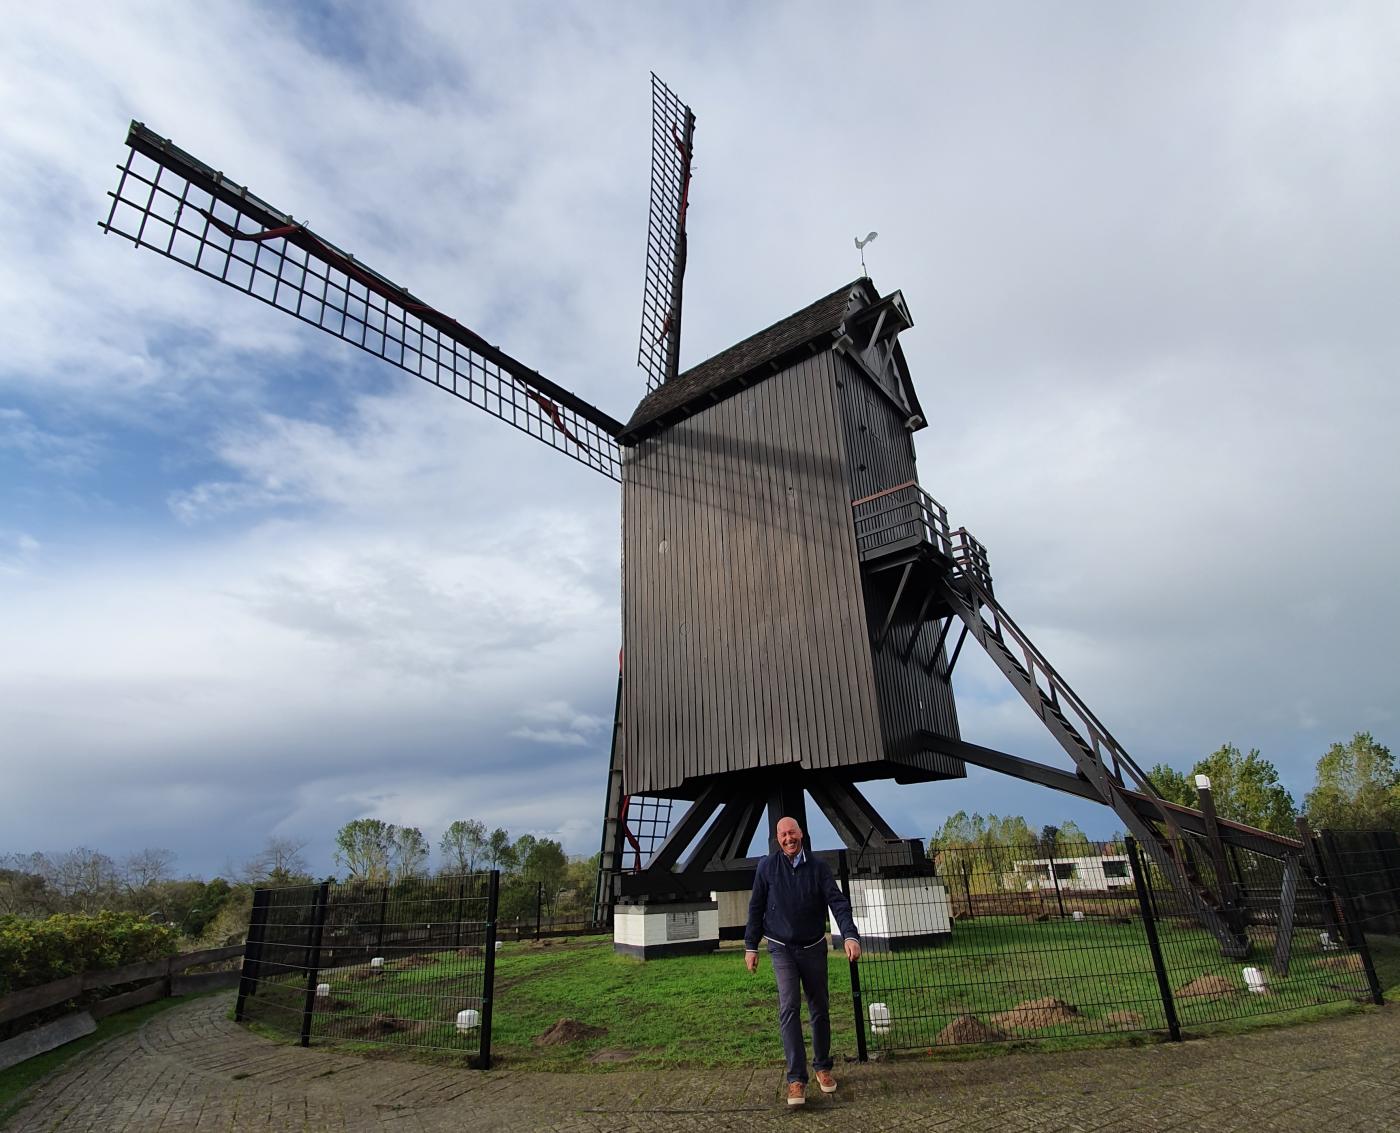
(257, 585)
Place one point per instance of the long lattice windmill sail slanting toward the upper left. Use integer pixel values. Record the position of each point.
(183, 209)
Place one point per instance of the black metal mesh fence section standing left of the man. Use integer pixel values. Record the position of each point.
(409, 964)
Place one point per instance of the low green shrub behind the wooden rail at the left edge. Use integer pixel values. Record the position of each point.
(38, 952)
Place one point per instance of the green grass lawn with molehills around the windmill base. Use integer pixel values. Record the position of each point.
(710, 1012)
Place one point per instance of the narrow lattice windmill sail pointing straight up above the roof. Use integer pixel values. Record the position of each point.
(673, 139)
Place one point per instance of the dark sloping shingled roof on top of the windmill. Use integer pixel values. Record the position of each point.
(747, 362)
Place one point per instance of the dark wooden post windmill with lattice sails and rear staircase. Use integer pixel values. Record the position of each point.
(789, 589)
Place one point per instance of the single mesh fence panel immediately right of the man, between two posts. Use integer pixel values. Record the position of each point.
(1006, 943)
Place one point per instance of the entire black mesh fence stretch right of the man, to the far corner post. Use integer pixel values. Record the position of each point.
(1018, 943)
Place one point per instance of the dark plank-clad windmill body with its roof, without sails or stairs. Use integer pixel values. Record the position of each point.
(751, 679)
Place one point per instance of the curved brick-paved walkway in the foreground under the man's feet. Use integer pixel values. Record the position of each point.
(191, 1069)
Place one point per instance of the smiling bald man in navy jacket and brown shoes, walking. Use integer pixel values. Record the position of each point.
(792, 894)
